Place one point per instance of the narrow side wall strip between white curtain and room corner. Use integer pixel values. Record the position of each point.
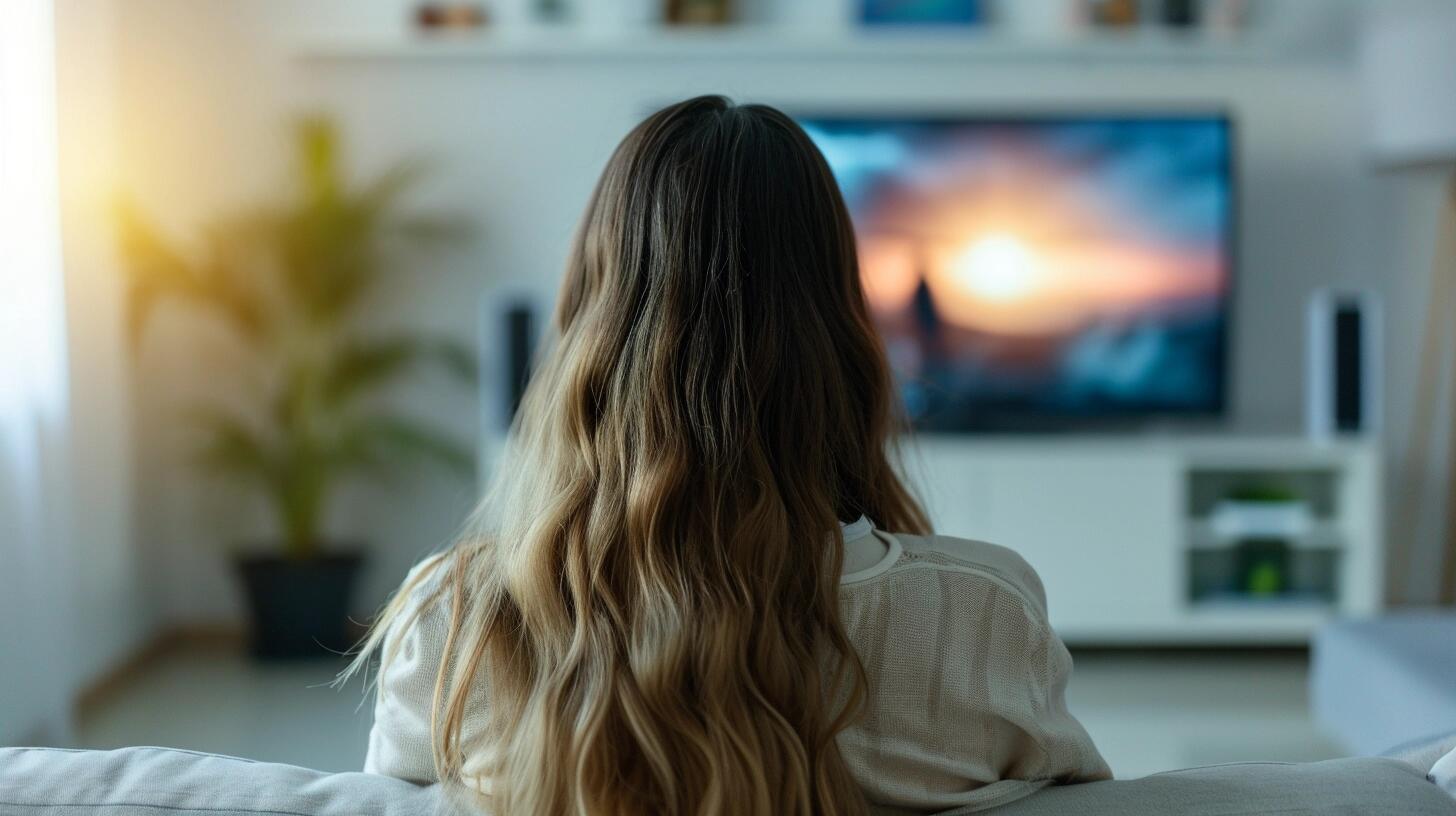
(113, 613)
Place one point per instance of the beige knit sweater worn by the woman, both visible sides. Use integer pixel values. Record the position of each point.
(966, 680)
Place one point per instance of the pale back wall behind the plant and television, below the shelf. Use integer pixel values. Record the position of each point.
(207, 90)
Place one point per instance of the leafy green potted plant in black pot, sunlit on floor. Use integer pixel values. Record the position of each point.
(304, 410)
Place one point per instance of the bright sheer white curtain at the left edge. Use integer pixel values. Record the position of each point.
(34, 608)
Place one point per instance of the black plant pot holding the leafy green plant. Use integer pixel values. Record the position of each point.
(299, 607)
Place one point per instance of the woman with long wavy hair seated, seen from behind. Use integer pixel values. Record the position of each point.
(678, 600)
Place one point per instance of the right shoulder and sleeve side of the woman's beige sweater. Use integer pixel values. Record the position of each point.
(968, 686)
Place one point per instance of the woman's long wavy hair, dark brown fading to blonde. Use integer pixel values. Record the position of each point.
(649, 610)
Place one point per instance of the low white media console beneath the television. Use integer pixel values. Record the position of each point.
(1120, 530)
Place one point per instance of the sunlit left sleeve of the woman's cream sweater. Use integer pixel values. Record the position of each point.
(400, 742)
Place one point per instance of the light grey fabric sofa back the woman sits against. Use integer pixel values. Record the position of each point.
(152, 782)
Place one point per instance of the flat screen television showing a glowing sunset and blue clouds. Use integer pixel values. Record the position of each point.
(1045, 272)
